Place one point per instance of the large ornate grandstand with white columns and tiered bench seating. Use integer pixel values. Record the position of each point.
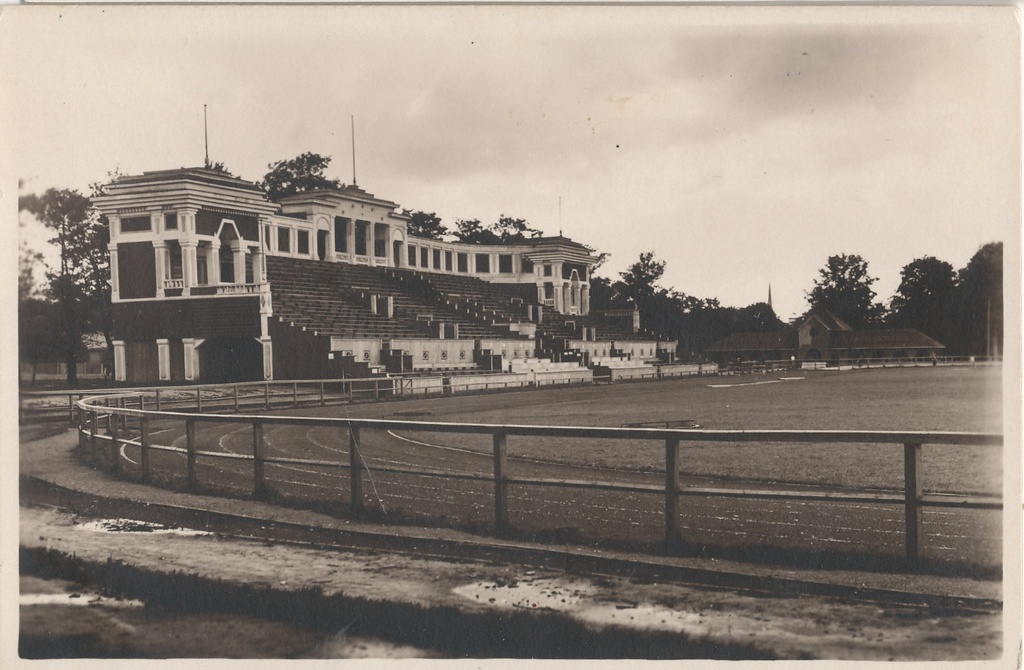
(211, 282)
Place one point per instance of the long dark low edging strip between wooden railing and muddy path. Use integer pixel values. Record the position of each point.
(434, 545)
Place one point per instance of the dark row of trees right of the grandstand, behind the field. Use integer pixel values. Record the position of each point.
(963, 310)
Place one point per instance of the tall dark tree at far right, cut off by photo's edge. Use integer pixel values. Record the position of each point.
(979, 304)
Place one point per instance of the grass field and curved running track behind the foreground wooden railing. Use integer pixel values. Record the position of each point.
(926, 399)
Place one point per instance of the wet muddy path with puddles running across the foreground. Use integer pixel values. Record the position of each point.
(804, 627)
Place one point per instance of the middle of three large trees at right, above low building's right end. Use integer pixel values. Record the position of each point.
(925, 299)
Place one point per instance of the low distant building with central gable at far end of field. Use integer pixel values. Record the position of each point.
(824, 337)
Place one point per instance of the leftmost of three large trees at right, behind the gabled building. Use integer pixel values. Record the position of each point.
(845, 289)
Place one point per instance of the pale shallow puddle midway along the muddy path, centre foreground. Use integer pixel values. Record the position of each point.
(541, 594)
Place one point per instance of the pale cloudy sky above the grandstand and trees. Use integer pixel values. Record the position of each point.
(743, 146)
